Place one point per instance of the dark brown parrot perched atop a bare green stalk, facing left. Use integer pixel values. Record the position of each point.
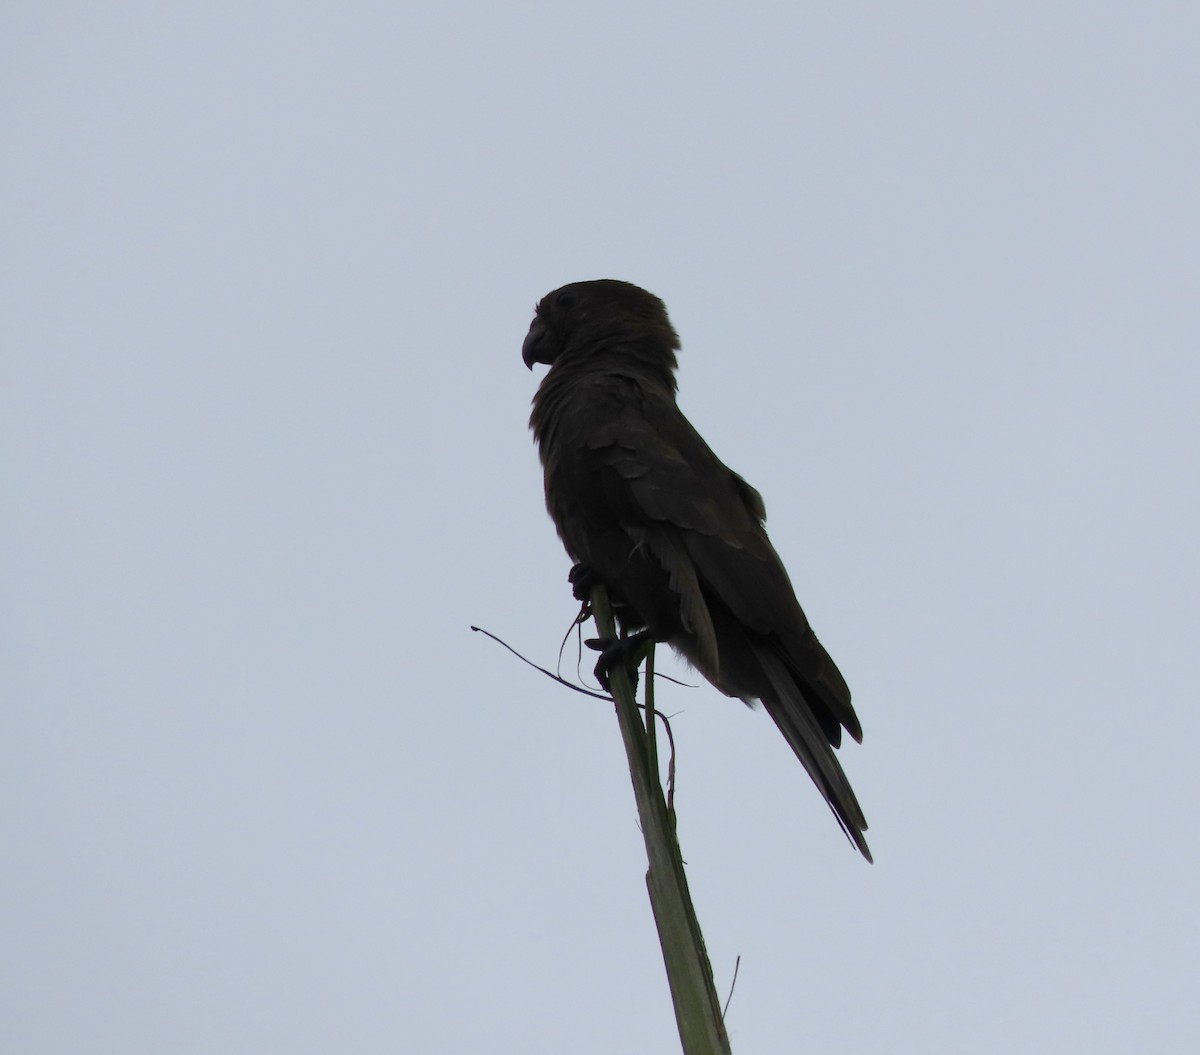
(645, 508)
